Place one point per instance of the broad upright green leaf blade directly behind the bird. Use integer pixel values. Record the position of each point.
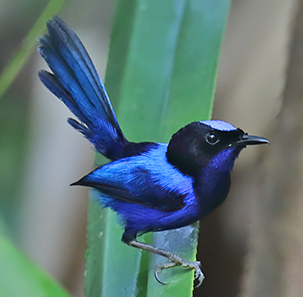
(161, 75)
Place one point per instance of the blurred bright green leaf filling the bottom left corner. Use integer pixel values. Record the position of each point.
(20, 277)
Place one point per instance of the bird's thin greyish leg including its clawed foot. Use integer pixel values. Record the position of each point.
(176, 260)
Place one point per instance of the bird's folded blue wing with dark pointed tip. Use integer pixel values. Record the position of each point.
(136, 180)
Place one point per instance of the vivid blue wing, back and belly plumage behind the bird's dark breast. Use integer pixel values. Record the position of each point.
(146, 191)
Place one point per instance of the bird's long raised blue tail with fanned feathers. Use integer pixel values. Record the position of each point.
(76, 82)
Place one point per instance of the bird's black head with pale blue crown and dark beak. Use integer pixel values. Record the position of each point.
(193, 146)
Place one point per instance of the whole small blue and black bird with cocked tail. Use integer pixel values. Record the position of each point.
(152, 186)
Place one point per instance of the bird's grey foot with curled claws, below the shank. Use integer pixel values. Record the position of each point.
(199, 276)
